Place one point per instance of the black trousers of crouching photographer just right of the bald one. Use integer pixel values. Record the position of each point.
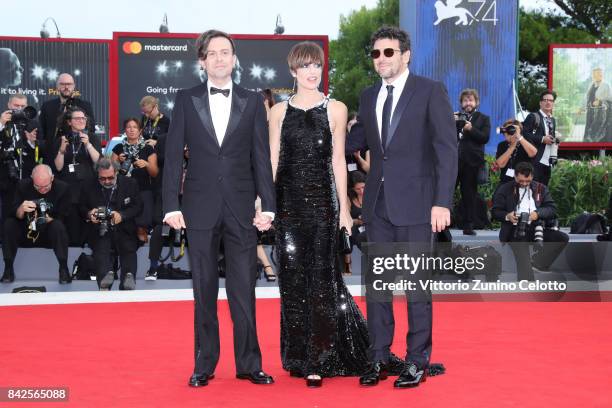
(114, 243)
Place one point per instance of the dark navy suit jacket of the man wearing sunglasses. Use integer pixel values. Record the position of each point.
(419, 163)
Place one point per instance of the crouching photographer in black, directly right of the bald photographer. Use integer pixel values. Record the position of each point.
(111, 204)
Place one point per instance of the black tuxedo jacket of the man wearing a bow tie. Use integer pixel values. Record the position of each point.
(234, 173)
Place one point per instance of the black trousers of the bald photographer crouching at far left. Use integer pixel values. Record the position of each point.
(52, 235)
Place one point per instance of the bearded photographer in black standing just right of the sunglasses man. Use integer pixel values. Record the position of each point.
(473, 128)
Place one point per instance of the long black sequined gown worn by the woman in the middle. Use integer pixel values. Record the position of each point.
(322, 329)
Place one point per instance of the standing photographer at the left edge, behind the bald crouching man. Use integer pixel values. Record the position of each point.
(20, 150)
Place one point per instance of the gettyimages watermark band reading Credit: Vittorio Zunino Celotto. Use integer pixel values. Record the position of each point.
(418, 269)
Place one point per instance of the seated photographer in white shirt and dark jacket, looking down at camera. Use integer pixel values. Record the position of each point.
(524, 207)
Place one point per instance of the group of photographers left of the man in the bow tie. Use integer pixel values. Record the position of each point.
(59, 189)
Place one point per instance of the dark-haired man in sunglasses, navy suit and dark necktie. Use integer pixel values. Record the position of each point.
(407, 123)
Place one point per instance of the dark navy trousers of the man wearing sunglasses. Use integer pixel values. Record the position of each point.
(381, 323)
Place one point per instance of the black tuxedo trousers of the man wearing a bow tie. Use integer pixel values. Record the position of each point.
(241, 259)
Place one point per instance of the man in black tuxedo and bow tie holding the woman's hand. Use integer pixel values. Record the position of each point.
(224, 128)
